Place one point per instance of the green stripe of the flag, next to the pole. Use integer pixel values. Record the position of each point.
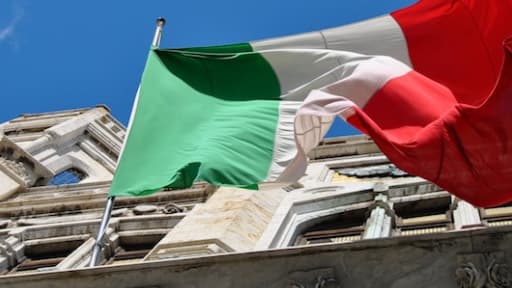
(200, 117)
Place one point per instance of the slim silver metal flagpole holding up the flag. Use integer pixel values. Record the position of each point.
(100, 241)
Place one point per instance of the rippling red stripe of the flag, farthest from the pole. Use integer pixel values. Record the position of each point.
(457, 134)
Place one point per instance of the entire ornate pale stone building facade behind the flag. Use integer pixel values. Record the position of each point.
(354, 220)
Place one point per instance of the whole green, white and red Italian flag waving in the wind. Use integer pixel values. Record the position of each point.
(429, 83)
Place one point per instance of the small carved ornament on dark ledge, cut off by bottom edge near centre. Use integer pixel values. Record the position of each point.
(317, 278)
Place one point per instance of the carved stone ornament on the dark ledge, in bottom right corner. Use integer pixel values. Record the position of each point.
(489, 274)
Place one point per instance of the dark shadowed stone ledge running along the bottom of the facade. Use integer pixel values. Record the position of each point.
(411, 261)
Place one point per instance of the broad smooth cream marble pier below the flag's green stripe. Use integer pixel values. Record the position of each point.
(232, 220)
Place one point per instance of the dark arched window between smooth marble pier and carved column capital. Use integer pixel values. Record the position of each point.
(340, 228)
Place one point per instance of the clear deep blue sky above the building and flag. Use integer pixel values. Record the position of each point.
(58, 54)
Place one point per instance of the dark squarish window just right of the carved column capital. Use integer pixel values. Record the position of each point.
(424, 216)
